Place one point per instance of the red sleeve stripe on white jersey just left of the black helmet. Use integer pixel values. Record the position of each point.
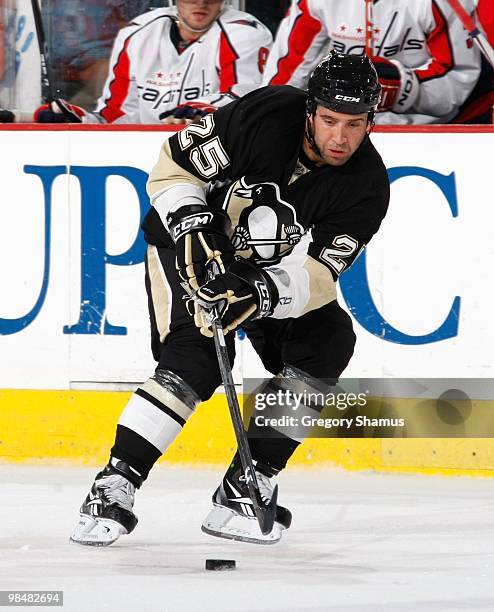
(304, 30)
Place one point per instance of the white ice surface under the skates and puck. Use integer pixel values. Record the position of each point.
(359, 541)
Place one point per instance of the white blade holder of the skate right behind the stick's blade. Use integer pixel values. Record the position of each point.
(224, 523)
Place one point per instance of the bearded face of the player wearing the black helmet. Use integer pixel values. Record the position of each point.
(338, 135)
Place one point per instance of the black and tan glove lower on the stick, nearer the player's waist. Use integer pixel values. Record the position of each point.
(245, 292)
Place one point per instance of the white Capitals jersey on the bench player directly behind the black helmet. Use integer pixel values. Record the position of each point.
(424, 35)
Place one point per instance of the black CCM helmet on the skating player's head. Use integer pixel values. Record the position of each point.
(345, 84)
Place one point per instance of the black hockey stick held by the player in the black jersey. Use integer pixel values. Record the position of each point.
(265, 512)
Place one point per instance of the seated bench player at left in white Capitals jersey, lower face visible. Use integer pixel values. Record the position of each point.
(175, 64)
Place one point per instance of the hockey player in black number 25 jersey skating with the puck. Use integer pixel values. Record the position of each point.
(282, 189)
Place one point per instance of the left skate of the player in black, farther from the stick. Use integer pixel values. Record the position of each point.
(106, 513)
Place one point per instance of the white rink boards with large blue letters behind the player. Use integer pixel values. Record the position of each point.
(73, 304)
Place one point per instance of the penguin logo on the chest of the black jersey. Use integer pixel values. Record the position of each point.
(266, 227)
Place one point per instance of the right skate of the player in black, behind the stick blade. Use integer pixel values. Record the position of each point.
(233, 514)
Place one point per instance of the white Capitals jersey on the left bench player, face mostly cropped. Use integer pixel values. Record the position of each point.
(148, 76)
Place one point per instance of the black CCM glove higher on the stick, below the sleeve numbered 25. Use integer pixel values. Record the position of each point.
(201, 236)
